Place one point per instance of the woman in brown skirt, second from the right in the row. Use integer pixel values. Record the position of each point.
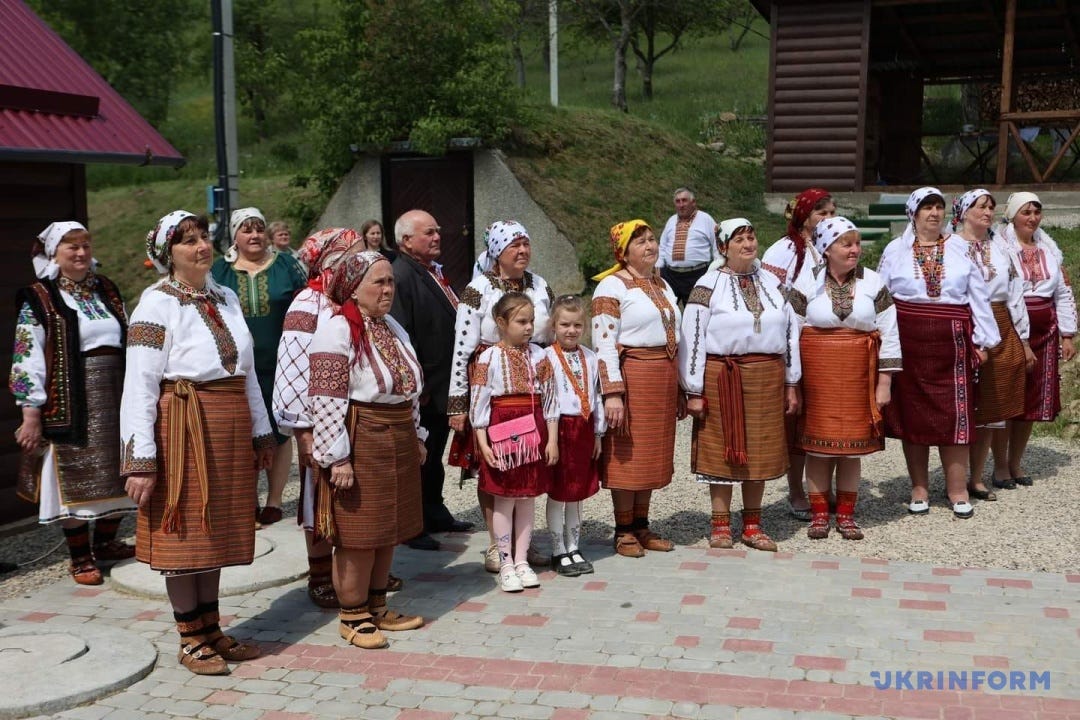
(1002, 381)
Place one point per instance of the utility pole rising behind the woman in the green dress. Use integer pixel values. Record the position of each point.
(227, 193)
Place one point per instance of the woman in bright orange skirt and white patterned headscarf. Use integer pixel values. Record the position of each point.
(849, 348)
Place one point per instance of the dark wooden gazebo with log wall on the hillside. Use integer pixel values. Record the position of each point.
(847, 80)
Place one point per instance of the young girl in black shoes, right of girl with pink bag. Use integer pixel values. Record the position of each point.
(582, 426)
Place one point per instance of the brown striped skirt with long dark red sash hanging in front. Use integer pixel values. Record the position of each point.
(751, 447)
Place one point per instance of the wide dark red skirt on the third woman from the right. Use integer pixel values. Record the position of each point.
(934, 397)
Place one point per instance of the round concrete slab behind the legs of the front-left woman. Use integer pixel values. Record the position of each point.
(281, 558)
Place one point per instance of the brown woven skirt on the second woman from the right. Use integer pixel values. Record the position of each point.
(1001, 391)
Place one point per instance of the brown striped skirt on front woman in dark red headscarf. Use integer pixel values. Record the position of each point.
(384, 507)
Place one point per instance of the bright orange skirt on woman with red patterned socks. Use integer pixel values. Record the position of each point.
(840, 384)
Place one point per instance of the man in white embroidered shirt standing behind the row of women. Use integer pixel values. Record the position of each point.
(686, 246)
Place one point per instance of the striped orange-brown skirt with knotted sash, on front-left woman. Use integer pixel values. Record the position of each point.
(217, 531)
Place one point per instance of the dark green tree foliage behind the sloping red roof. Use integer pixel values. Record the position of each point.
(138, 47)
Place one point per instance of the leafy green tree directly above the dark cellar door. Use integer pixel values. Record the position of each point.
(422, 71)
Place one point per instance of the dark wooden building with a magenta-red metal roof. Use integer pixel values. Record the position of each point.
(57, 115)
